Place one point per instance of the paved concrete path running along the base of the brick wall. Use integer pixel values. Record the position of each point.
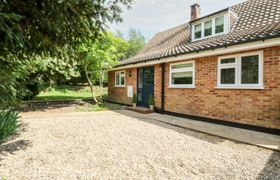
(256, 138)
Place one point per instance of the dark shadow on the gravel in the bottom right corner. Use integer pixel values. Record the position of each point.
(272, 168)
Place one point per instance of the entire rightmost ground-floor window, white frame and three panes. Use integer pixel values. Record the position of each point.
(241, 71)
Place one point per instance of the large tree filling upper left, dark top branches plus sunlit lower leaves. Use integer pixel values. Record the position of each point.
(47, 31)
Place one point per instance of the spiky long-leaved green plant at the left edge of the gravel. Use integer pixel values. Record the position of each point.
(8, 123)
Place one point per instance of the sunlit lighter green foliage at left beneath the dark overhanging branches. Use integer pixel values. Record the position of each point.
(24, 77)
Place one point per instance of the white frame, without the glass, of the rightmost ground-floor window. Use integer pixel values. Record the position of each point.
(238, 67)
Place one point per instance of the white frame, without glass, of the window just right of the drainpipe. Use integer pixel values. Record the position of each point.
(189, 69)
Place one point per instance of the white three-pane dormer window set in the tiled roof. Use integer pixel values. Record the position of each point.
(210, 27)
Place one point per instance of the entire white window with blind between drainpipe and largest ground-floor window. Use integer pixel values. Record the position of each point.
(182, 75)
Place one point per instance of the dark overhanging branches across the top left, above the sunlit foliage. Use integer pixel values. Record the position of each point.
(45, 25)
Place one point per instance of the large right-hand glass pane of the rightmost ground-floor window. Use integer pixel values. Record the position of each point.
(250, 69)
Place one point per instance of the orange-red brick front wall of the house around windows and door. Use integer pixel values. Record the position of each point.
(247, 106)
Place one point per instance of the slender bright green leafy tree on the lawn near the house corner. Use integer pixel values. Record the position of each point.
(99, 56)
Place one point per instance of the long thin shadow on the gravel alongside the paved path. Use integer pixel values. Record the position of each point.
(179, 129)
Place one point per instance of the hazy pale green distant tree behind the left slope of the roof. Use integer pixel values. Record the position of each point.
(136, 42)
